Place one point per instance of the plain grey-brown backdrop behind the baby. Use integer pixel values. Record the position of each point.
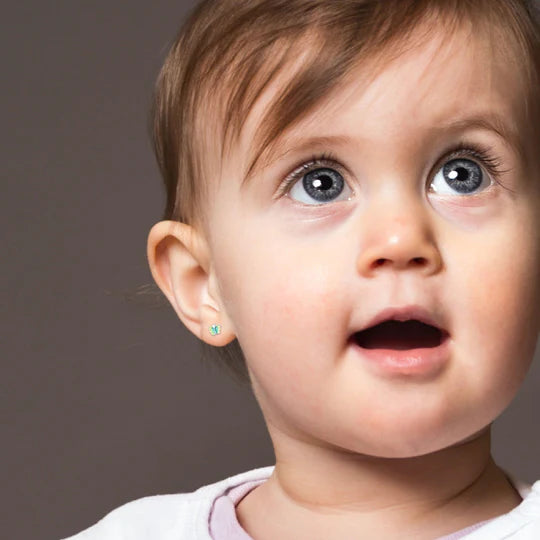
(104, 399)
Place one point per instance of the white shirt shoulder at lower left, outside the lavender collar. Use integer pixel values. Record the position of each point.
(164, 517)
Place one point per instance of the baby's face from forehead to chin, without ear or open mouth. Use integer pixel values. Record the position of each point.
(300, 272)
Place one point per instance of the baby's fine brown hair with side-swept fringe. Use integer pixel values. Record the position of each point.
(227, 52)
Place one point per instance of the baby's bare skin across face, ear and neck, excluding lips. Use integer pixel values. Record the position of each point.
(359, 453)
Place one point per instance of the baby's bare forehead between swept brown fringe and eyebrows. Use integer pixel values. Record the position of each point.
(436, 81)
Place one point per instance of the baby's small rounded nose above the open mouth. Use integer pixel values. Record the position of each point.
(398, 241)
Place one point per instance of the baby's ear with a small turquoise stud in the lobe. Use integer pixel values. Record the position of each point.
(181, 265)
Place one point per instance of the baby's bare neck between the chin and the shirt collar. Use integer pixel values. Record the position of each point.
(434, 494)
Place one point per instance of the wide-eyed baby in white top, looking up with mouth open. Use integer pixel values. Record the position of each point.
(354, 195)
